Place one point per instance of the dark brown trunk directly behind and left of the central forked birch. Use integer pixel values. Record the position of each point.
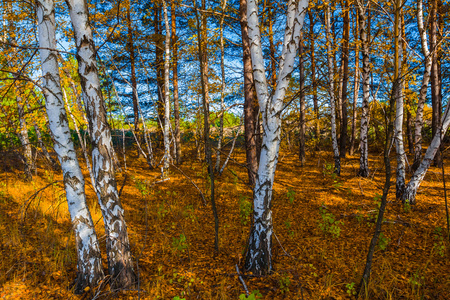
(251, 107)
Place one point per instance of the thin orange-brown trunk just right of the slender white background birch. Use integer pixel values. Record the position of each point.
(176, 105)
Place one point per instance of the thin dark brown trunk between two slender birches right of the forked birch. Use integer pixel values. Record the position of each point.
(345, 54)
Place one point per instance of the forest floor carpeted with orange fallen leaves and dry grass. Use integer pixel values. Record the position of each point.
(323, 225)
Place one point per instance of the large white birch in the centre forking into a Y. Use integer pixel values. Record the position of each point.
(259, 251)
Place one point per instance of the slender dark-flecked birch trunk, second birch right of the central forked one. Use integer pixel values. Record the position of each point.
(363, 142)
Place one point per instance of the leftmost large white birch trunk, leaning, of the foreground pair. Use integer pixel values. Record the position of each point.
(89, 265)
